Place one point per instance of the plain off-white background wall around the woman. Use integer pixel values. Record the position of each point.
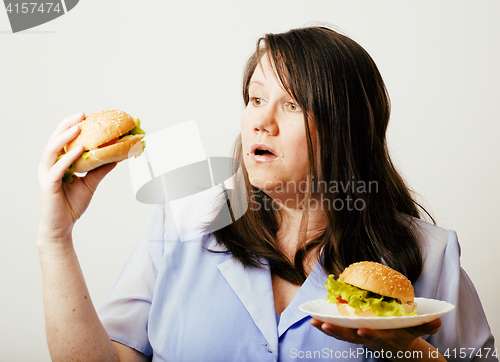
(167, 62)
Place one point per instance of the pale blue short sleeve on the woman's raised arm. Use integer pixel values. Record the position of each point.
(125, 312)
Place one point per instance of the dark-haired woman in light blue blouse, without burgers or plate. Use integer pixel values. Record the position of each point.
(322, 194)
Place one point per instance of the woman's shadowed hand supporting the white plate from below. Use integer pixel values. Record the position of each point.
(394, 340)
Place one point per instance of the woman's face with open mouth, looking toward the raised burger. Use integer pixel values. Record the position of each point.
(273, 136)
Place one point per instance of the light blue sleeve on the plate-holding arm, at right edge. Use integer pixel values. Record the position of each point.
(464, 334)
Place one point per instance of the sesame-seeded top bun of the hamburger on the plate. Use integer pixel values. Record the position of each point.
(380, 279)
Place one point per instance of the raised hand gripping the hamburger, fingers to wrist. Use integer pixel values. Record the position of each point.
(62, 203)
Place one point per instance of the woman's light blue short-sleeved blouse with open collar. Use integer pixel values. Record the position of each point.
(177, 301)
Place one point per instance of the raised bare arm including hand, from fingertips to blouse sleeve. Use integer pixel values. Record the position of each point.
(72, 325)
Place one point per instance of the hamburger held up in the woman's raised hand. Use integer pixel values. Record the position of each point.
(106, 136)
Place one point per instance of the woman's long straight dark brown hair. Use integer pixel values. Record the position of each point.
(342, 94)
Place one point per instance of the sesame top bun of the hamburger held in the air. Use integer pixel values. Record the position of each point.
(101, 127)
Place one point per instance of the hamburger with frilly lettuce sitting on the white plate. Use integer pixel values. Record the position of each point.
(369, 289)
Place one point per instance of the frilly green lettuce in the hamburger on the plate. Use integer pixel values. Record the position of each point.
(360, 299)
